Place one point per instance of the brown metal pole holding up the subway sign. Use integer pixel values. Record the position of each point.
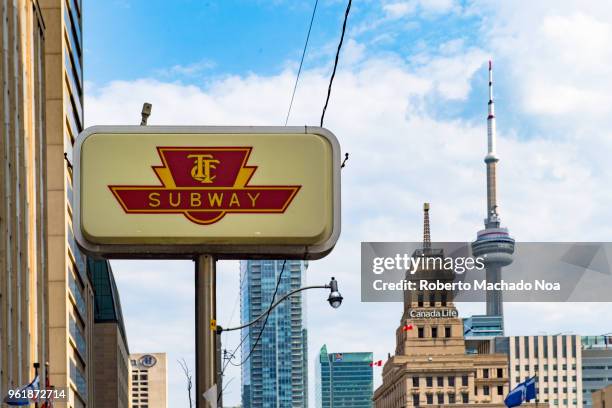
(205, 316)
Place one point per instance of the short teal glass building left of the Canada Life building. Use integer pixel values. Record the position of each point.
(344, 380)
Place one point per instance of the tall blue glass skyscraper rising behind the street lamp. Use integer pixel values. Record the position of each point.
(276, 374)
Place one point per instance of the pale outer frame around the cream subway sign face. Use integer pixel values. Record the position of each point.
(189, 251)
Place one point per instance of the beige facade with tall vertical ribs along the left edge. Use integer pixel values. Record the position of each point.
(23, 252)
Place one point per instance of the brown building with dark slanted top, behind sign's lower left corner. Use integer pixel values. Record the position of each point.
(111, 352)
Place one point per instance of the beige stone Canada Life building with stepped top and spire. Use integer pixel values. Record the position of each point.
(431, 364)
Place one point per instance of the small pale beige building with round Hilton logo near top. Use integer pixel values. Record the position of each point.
(149, 380)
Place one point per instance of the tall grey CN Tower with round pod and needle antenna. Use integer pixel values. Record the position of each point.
(494, 243)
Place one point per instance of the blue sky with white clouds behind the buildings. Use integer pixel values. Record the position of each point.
(409, 104)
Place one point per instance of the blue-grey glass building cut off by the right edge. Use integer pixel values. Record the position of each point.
(596, 367)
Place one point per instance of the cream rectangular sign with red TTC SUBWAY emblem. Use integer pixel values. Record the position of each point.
(232, 192)
